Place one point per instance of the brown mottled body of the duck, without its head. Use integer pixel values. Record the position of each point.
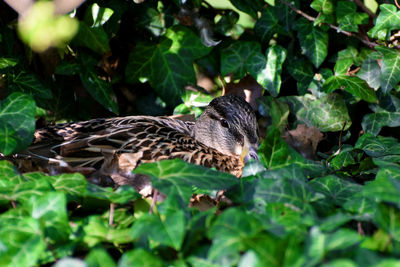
(121, 144)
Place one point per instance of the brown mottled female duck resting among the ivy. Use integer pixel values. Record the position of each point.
(223, 137)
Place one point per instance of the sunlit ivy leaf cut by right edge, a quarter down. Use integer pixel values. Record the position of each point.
(390, 76)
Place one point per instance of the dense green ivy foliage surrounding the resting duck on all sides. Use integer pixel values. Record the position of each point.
(326, 190)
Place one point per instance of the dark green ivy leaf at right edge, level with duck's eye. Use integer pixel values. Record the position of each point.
(373, 122)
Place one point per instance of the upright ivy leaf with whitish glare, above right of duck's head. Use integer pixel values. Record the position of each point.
(269, 76)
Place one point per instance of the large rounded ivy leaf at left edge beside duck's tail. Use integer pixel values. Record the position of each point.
(17, 122)
